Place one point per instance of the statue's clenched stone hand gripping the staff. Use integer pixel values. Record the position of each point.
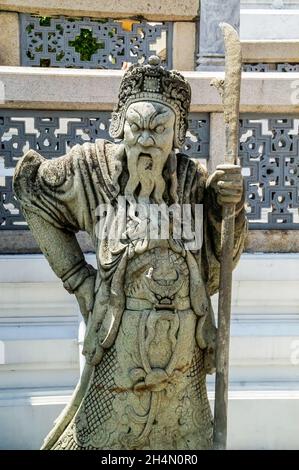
(227, 183)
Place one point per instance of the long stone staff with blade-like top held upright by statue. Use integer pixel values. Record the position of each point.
(230, 93)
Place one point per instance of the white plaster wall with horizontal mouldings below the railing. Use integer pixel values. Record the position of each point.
(39, 360)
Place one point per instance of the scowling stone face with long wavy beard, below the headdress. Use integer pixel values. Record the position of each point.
(148, 141)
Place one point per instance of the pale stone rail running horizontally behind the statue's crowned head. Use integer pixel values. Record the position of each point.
(73, 89)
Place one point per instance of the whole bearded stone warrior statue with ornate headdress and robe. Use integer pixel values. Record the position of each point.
(150, 336)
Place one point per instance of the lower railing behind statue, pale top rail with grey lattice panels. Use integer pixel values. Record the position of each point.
(52, 109)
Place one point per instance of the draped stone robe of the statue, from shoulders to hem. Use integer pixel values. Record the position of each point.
(147, 386)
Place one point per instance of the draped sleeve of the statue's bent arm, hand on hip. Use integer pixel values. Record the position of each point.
(57, 201)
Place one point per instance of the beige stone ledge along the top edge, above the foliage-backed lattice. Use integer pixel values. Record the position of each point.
(170, 10)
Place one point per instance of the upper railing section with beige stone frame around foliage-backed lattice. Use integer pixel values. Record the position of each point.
(98, 34)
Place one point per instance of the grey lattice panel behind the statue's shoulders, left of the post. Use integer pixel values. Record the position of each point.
(52, 134)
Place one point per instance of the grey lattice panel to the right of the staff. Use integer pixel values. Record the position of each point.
(269, 154)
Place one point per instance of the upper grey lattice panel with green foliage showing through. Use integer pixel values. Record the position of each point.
(92, 43)
